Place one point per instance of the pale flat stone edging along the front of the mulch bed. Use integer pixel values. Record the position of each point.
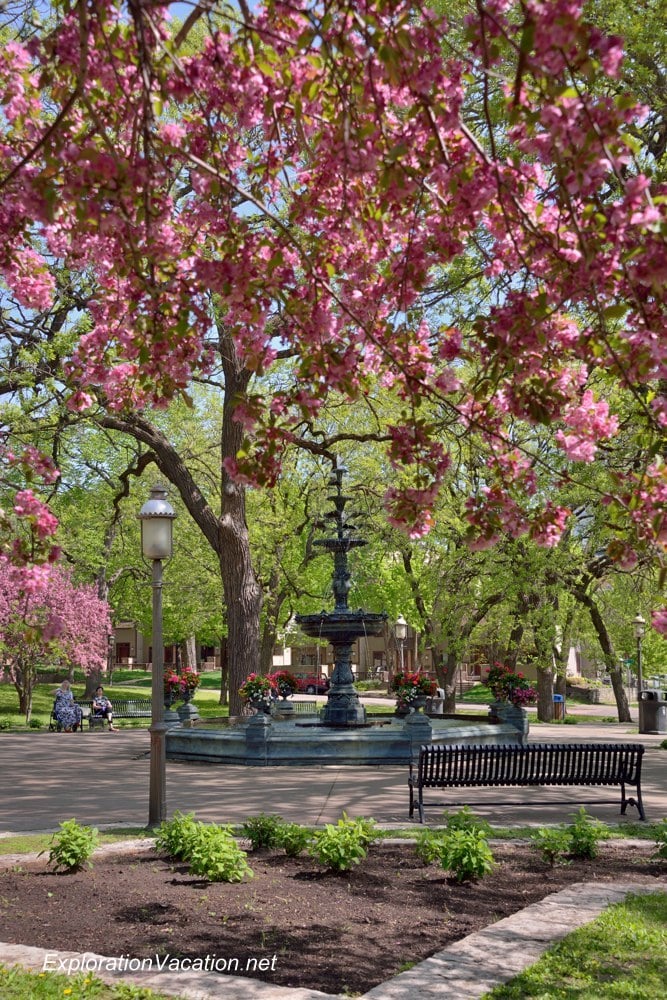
(466, 969)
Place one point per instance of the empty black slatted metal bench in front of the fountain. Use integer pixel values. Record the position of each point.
(461, 766)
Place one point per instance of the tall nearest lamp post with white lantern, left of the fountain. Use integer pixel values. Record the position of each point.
(157, 517)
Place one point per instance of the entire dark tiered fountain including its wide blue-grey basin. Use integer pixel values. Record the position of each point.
(342, 735)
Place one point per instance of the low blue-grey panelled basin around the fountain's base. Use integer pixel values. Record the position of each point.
(263, 743)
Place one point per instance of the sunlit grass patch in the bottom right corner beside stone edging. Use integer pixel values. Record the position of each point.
(620, 956)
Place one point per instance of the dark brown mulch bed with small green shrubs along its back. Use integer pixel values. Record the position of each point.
(328, 931)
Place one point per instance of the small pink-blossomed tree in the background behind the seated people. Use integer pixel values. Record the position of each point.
(57, 623)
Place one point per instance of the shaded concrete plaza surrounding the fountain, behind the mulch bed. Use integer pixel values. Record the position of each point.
(102, 779)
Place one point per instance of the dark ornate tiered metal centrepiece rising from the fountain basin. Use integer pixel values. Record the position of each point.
(342, 627)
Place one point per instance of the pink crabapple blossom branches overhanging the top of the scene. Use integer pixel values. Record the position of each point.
(305, 170)
